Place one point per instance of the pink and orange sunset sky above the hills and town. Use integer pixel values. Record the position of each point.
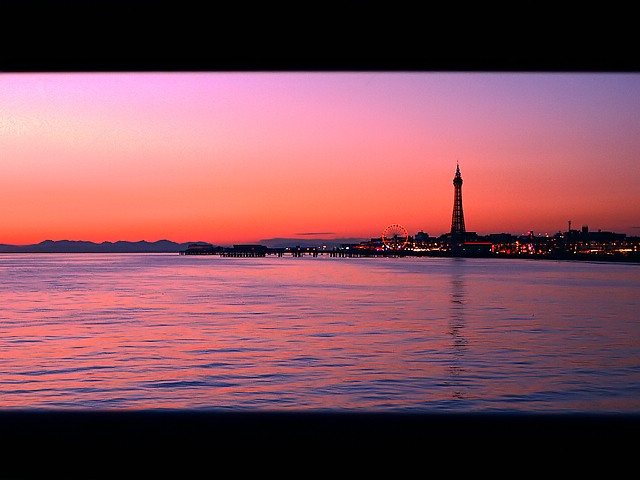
(242, 156)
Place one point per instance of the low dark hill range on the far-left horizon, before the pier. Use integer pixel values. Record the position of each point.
(75, 246)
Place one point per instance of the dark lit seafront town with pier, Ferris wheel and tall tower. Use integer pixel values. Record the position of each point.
(395, 240)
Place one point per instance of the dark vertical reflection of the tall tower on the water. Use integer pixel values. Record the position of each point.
(456, 328)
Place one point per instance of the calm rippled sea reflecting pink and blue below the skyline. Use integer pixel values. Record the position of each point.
(165, 331)
